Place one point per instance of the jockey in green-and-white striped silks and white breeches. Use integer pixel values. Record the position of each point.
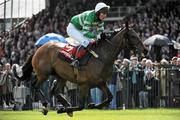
(88, 26)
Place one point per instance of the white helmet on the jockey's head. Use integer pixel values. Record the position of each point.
(102, 8)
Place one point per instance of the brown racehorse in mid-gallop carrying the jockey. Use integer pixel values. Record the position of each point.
(46, 61)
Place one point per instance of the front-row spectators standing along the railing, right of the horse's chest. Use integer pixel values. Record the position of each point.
(145, 83)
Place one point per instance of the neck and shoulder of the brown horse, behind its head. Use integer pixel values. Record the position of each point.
(107, 55)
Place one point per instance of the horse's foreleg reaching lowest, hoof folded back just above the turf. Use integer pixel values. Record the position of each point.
(82, 98)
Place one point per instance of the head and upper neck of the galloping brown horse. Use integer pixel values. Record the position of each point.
(126, 38)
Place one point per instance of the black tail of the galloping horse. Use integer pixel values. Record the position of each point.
(24, 72)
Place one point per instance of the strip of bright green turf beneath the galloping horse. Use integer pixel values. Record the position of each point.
(146, 114)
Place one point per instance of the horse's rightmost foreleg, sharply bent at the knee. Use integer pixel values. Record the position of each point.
(104, 88)
